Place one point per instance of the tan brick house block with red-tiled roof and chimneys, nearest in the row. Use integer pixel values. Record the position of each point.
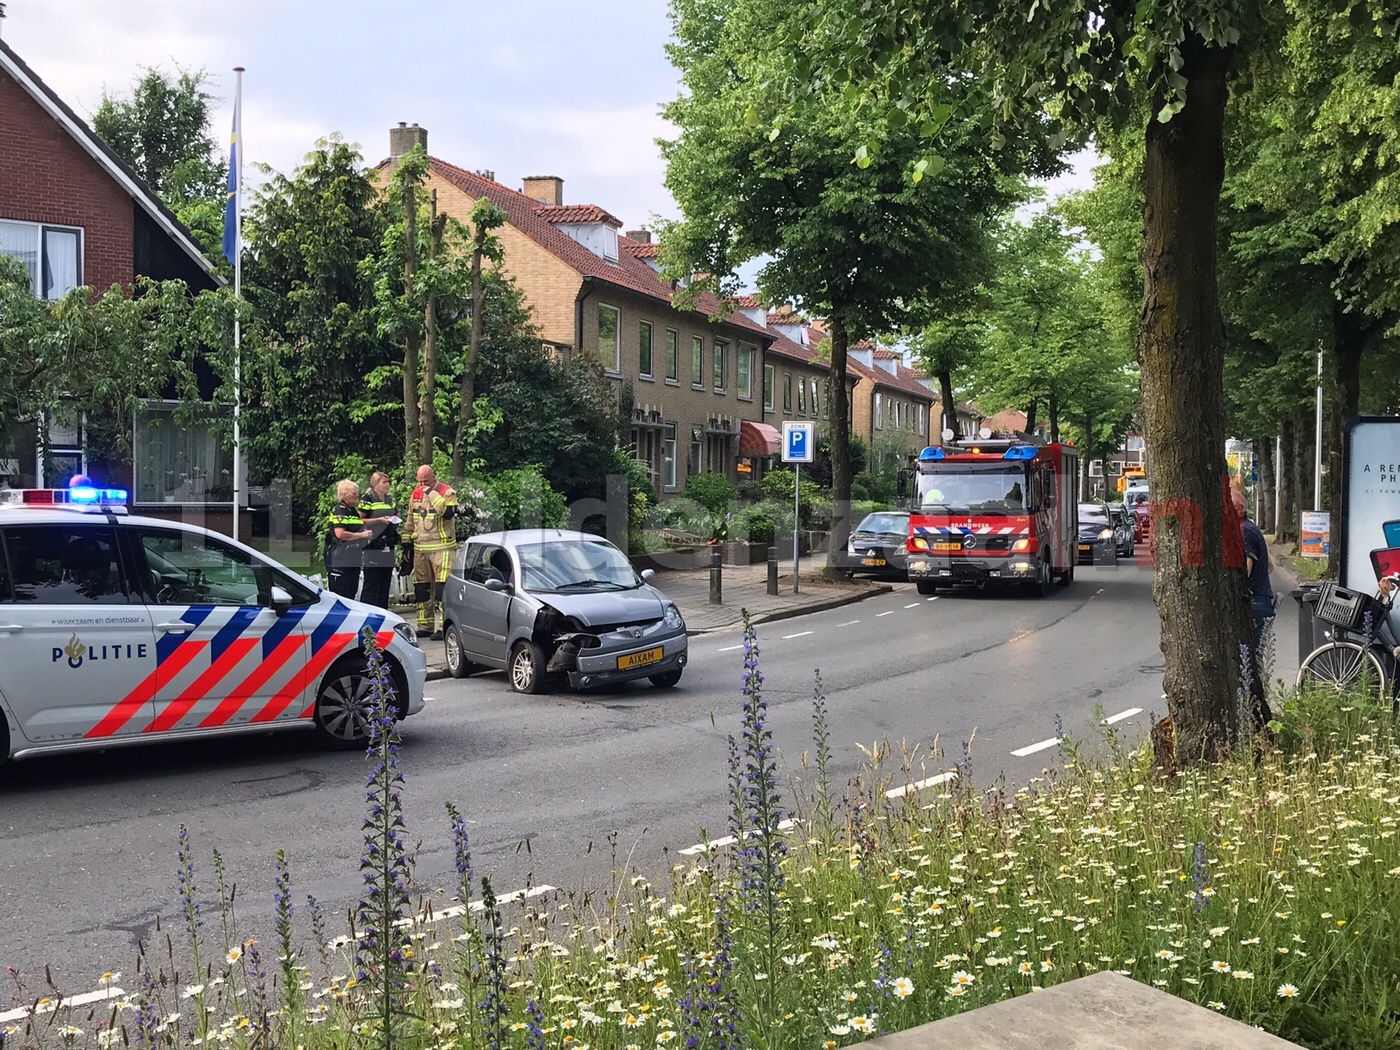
(696, 386)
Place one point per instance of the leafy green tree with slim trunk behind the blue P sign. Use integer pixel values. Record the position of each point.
(757, 177)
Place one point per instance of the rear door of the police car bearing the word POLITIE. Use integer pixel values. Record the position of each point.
(78, 653)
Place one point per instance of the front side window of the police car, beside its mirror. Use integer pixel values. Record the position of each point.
(190, 569)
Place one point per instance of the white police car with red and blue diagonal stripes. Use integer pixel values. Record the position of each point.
(118, 629)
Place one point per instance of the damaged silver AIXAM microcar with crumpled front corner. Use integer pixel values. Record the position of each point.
(552, 605)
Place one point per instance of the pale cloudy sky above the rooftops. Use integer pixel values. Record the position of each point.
(548, 87)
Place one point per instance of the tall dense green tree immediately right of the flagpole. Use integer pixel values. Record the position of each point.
(310, 404)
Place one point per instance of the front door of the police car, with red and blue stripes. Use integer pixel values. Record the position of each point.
(226, 657)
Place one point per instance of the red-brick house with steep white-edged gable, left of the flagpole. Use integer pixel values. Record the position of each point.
(75, 215)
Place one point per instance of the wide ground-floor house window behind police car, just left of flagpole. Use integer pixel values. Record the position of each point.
(180, 461)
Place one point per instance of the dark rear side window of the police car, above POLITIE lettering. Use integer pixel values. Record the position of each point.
(65, 565)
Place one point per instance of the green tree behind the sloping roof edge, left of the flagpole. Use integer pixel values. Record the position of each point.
(162, 131)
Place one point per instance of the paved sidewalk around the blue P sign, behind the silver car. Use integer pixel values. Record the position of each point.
(744, 587)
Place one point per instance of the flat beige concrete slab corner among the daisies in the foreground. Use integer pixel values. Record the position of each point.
(1104, 1011)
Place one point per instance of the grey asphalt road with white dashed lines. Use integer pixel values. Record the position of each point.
(561, 789)
